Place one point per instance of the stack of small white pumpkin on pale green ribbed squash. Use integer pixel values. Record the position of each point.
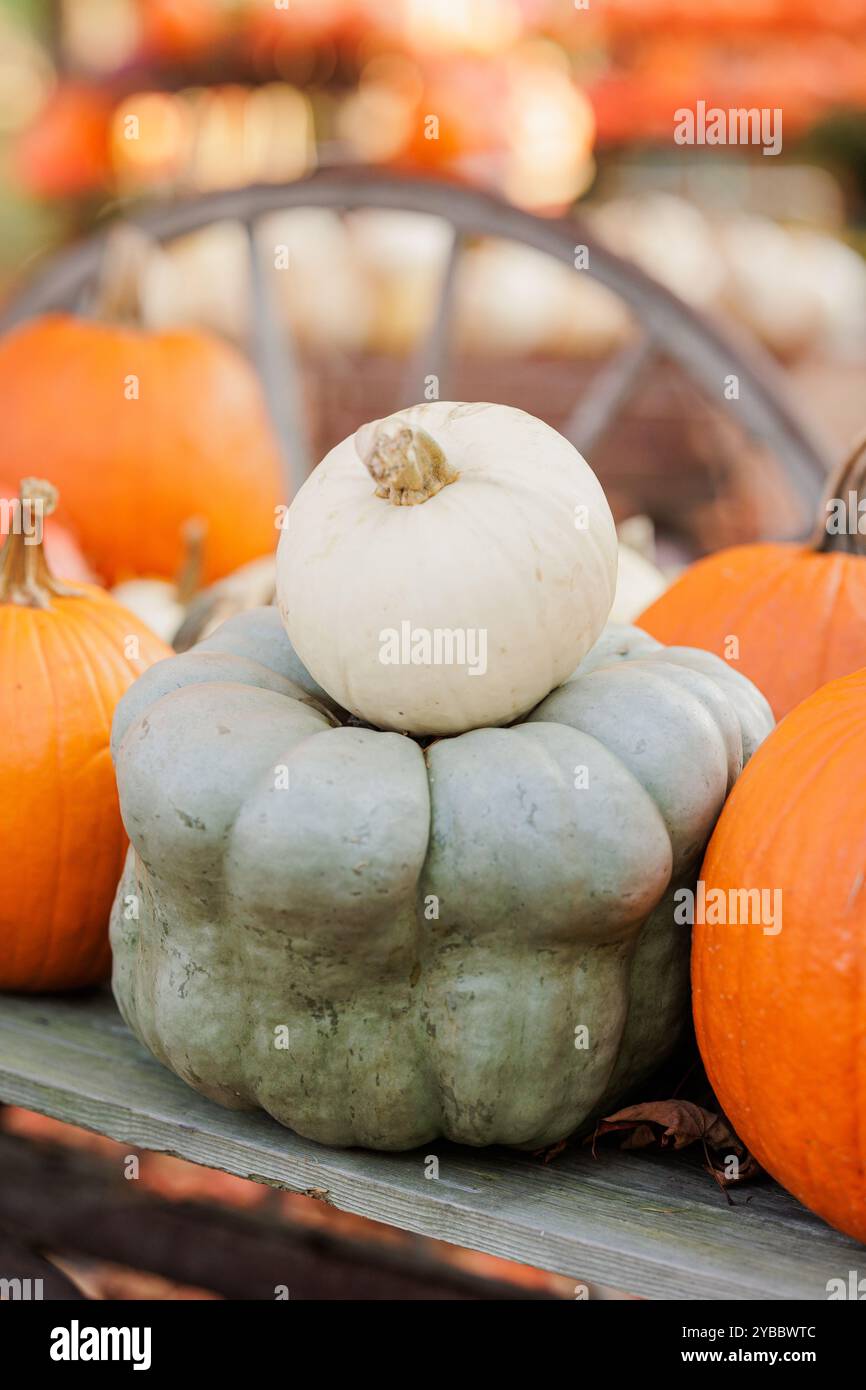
(405, 850)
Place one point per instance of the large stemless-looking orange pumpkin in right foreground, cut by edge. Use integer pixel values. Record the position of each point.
(782, 1014)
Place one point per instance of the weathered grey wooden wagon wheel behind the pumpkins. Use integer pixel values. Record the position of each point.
(668, 326)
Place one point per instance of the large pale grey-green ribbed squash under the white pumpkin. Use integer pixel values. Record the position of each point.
(429, 929)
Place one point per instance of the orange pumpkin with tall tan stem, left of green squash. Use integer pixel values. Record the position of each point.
(66, 658)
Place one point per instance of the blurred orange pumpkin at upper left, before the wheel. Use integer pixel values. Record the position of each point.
(142, 432)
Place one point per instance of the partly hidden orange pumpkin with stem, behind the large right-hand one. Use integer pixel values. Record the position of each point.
(797, 612)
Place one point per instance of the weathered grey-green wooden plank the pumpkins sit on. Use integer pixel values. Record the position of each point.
(654, 1227)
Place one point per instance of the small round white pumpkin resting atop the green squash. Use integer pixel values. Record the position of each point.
(447, 568)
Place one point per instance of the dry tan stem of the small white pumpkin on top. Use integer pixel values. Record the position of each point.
(407, 465)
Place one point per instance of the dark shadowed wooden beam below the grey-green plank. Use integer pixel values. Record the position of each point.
(58, 1199)
